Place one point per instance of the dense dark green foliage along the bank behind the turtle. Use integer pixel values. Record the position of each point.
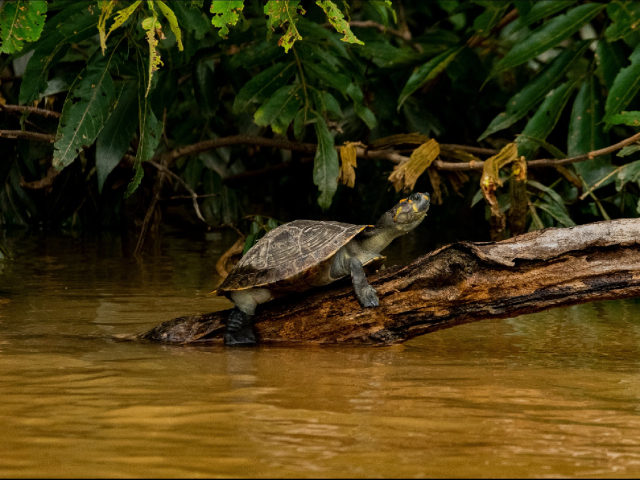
(136, 81)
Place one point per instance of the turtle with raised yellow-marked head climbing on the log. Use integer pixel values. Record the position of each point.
(304, 254)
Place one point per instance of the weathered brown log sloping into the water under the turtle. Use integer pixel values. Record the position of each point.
(454, 285)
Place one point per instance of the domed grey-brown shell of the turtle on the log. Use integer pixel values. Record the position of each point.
(288, 252)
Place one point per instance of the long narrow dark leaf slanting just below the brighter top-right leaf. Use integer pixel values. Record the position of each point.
(523, 101)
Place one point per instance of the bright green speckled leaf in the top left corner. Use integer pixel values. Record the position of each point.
(21, 21)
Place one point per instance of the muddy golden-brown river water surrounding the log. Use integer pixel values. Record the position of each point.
(545, 395)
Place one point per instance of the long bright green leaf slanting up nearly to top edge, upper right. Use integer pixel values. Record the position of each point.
(548, 36)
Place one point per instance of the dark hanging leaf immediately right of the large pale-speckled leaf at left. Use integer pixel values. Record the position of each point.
(115, 137)
